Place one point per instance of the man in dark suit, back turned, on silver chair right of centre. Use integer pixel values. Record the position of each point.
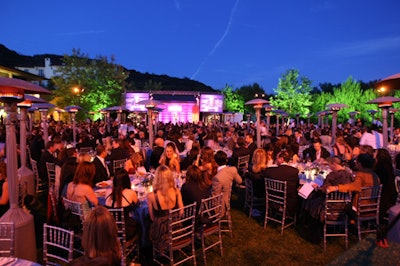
(285, 172)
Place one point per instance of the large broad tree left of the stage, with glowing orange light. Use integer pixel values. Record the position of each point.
(99, 82)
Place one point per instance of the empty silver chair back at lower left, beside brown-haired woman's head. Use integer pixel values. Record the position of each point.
(58, 244)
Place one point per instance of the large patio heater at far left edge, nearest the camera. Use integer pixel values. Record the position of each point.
(11, 92)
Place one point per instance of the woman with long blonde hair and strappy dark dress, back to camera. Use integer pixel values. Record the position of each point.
(165, 196)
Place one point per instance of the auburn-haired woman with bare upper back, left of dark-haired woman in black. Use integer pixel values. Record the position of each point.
(80, 189)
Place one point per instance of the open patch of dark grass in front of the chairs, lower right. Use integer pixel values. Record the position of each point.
(253, 245)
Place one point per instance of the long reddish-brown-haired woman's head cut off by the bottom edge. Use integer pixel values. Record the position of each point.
(100, 240)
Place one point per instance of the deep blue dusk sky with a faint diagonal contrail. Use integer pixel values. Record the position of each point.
(217, 42)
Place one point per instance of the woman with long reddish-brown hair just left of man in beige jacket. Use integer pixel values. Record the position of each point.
(207, 164)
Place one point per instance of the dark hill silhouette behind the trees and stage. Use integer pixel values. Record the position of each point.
(135, 81)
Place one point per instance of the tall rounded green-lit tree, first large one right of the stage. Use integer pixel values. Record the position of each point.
(293, 94)
